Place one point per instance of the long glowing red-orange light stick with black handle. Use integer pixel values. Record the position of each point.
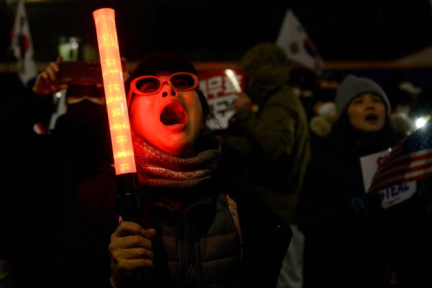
(129, 201)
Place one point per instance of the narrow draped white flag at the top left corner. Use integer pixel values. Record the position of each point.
(22, 45)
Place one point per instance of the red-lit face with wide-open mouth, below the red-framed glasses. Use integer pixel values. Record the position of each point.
(170, 120)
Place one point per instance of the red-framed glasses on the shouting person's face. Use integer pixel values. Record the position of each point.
(150, 85)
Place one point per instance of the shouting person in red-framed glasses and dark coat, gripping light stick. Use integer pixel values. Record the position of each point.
(194, 228)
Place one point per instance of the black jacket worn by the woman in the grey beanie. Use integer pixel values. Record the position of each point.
(344, 241)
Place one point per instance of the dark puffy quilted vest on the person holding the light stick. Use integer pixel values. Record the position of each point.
(201, 247)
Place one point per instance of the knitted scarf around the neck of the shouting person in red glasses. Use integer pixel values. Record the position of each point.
(158, 169)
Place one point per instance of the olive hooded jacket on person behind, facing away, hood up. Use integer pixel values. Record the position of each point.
(274, 142)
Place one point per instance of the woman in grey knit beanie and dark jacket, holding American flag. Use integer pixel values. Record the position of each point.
(344, 242)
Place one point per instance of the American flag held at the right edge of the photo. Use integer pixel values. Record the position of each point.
(409, 160)
